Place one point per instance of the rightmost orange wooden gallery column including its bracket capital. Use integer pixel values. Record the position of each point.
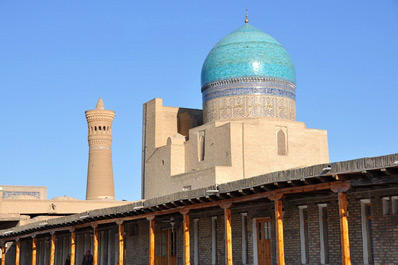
(341, 190)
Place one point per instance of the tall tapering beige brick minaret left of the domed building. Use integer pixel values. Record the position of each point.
(100, 172)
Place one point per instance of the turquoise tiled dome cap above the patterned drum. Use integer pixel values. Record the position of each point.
(247, 52)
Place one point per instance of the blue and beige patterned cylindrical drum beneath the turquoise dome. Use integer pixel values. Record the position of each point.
(251, 97)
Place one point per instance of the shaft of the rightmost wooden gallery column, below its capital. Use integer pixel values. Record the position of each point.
(344, 236)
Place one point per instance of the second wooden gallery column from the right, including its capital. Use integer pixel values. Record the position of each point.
(280, 244)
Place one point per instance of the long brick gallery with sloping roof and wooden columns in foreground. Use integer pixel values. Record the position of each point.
(342, 213)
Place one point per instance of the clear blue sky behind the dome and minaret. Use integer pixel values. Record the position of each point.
(58, 57)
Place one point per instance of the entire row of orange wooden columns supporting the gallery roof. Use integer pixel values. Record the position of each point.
(277, 198)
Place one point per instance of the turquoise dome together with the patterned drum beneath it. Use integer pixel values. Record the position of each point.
(248, 74)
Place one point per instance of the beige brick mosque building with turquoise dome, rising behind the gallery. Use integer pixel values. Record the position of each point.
(248, 119)
